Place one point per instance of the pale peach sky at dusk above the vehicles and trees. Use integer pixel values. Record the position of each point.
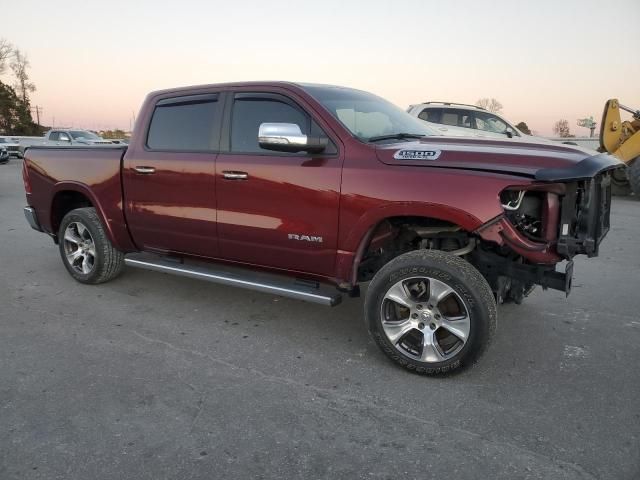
(94, 62)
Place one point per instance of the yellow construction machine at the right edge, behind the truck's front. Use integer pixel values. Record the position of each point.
(622, 139)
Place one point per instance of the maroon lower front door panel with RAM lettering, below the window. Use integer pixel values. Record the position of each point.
(281, 196)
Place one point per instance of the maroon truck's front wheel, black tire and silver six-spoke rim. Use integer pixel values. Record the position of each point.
(431, 312)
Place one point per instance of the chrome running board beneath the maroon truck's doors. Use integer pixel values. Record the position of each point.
(239, 278)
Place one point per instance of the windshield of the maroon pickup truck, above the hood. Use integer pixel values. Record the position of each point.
(367, 116)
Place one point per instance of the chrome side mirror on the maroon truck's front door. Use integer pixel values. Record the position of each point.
(287, 137)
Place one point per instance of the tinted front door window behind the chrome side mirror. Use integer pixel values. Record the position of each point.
(251, 110)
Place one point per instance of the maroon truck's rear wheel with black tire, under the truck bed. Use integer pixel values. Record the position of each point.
(108, 262)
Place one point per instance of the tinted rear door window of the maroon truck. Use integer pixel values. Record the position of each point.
(183, 123)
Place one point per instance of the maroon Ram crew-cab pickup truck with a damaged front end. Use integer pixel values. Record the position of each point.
(308, 191)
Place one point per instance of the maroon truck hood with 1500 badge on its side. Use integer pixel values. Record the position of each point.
(546, 162)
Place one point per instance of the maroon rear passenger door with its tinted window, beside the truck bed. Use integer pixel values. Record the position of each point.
(169, 186)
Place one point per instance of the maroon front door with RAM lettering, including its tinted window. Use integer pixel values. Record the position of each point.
(284, 214)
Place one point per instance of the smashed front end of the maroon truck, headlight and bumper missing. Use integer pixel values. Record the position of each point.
(565, 212)
